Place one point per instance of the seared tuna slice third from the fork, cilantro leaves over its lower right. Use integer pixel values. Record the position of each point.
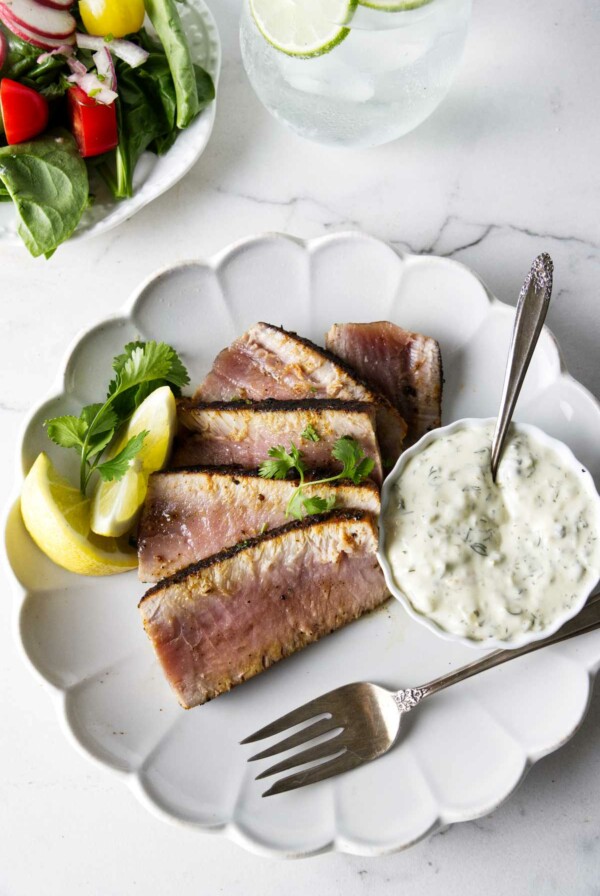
(241, 433)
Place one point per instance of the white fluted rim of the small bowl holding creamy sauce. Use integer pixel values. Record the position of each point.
(538, 435)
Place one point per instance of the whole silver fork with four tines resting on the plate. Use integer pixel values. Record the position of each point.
(364, 719)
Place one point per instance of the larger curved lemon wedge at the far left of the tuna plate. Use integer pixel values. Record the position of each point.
(57, 517)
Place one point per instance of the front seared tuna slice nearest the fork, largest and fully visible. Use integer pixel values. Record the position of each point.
(219, 622)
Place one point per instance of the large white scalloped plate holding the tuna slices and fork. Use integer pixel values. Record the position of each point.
(464, 752)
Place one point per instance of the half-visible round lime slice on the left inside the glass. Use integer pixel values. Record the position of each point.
(303, 27)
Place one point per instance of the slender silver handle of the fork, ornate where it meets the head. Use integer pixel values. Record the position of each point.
(585, 621)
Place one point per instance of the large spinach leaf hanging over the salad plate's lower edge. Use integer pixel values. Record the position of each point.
(48, 183)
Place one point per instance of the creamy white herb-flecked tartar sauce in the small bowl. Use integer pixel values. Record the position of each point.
(485, 560)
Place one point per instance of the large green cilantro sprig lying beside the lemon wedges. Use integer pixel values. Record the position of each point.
(139, 370)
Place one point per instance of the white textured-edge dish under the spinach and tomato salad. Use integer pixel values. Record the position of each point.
(153, 175)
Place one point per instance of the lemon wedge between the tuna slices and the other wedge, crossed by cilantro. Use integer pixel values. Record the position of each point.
(116, 504)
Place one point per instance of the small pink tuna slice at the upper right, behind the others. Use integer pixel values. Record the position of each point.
(405, 367)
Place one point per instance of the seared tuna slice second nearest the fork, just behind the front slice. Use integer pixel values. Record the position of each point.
(190, 514)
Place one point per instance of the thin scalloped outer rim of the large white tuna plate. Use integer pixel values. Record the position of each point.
(231, 829)
